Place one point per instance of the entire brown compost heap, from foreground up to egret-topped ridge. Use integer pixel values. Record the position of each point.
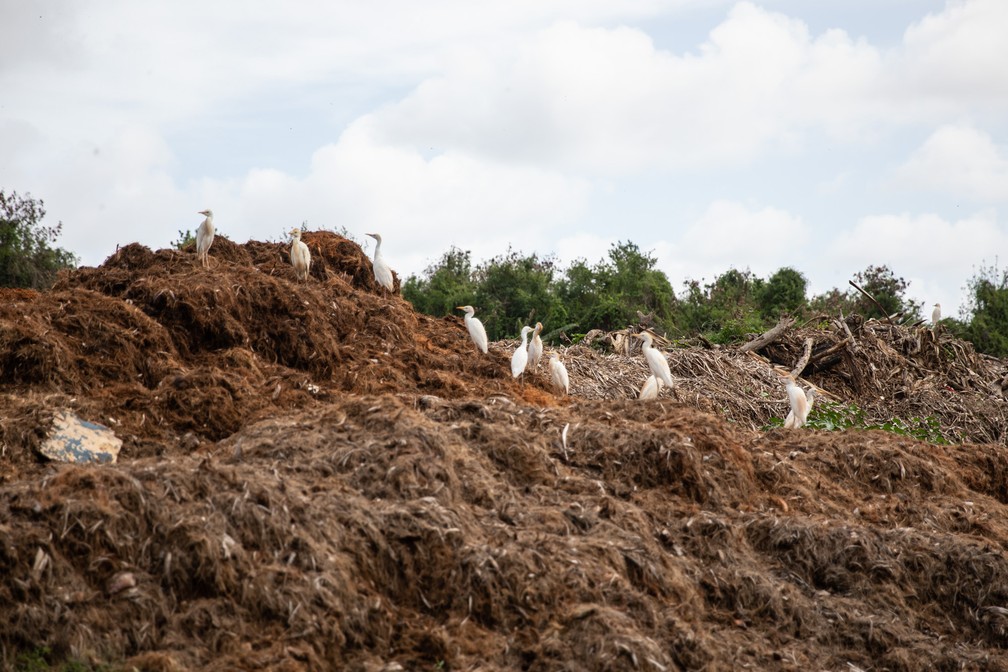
(316, 477)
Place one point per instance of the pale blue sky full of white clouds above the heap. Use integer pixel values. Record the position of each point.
(825, 136)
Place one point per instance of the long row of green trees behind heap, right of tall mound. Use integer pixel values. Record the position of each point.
(627, 289)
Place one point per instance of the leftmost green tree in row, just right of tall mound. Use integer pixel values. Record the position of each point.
(445, 286)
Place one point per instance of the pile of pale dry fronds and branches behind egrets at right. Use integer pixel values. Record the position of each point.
(887, 371)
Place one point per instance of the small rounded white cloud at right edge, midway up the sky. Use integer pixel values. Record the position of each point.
(960, 161)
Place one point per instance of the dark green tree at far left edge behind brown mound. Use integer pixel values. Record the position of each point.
(27, 256)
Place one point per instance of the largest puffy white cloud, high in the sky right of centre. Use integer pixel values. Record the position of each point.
(609, 102)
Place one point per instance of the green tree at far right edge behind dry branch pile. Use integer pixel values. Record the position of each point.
(987, 309)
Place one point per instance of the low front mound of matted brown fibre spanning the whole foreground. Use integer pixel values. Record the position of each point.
(382, 533)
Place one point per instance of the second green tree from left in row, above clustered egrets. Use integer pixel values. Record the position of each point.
(515, 290)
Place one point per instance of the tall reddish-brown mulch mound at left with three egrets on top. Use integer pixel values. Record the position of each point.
(159, 348)
